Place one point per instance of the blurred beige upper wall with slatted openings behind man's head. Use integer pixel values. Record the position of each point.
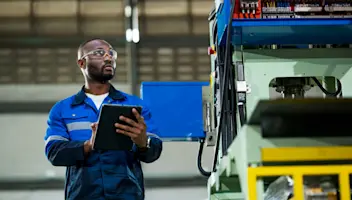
(39, 39)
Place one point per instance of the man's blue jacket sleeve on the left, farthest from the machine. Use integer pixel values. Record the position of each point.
(58, 148)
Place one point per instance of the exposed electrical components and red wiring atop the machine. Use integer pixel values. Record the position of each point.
(268, 9)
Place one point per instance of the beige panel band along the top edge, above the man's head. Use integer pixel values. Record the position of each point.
(88, 17)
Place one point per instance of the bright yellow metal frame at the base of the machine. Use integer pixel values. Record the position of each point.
(298, 172)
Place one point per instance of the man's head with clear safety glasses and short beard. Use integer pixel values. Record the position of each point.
(98, 62)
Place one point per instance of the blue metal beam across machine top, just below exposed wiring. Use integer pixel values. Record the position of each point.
(284, 31)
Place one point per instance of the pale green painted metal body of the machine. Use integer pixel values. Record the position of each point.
(261, 66)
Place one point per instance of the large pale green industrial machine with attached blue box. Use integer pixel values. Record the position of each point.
(278, 104)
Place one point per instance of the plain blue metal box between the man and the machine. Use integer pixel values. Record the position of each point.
(176, 108)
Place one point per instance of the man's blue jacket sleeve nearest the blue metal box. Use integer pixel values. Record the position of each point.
(156, 144)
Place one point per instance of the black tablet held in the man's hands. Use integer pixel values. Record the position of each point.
(106, 137)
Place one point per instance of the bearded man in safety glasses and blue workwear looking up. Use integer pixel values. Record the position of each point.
(92, 174)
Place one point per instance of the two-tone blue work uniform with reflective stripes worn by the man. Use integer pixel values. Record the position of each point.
(102, 175)
